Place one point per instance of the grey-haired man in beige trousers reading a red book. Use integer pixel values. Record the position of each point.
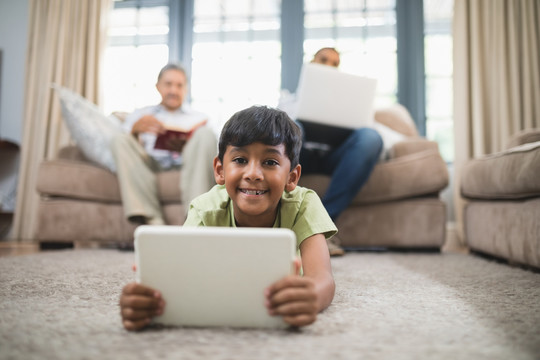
(162, 137)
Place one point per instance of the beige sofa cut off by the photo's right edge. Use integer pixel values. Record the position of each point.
(501, 216)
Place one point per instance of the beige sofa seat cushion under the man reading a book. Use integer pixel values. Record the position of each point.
(85, 181)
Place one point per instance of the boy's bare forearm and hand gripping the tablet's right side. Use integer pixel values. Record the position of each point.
(299, 299)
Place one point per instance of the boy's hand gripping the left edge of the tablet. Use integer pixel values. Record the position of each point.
(138, 305)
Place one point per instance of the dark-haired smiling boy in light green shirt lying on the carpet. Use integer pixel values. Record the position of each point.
(257, 172)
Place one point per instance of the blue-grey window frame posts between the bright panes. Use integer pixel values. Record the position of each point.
(410, 46)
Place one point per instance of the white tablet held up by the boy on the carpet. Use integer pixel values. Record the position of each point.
(214, 276)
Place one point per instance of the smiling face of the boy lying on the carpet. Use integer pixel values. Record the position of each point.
(255, 177)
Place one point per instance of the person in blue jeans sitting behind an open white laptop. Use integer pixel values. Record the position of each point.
(349, 163)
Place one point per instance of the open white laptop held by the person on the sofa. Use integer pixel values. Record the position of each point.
(332, 103)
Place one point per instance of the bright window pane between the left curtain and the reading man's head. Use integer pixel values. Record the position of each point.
(137, 49)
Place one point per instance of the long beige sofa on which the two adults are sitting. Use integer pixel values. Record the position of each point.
(398, 207)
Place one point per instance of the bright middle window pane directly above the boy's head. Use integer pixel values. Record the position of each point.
(236, 55)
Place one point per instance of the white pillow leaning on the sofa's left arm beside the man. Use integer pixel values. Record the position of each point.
(91, 130)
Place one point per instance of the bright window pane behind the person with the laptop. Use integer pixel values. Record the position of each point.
(364, 32)
